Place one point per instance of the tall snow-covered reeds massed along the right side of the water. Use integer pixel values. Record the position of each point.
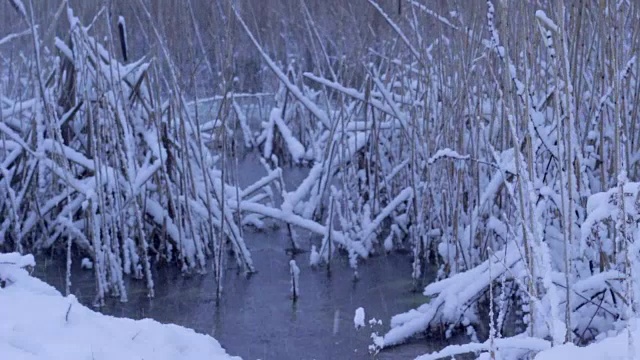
(482, 140)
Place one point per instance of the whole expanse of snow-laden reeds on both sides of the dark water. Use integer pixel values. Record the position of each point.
(497, 141)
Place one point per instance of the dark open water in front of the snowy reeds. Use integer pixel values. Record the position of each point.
(256, 318)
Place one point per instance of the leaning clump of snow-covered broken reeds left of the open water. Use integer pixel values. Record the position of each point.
(95, 157)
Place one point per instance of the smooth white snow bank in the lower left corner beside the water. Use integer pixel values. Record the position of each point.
(37, 322)
